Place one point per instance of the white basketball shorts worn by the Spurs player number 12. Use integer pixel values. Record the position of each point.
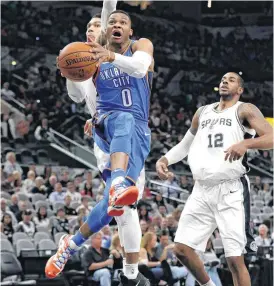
(226, 206)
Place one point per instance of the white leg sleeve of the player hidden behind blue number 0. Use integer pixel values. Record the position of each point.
(129, 224)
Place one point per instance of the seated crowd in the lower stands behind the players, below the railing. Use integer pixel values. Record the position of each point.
(59, 202)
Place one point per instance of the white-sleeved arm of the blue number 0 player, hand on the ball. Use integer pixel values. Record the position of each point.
(135, 66)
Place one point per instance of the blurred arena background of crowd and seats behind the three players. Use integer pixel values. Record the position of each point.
(49, 178)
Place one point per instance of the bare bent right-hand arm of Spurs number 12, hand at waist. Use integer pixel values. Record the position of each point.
(250, 114)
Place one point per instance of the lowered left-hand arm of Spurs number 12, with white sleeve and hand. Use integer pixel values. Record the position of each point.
(179, 151)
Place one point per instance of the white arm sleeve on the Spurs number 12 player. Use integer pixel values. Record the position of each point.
(180, 151)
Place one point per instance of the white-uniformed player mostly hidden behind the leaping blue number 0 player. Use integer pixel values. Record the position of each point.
(128, 223)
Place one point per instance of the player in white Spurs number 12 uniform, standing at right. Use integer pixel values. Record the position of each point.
(216, 145)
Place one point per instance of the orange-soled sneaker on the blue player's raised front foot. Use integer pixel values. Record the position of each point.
(121, 195)
